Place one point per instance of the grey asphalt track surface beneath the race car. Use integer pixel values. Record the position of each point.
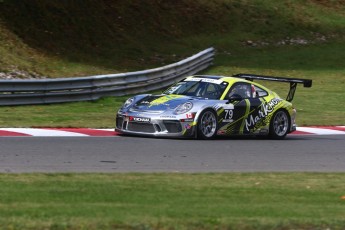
(297, 153)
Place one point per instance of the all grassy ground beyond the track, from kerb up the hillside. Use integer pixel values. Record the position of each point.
(59, 39)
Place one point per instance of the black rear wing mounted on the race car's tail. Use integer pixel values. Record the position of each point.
(293, 82)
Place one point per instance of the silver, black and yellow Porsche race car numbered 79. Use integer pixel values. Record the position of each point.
(204, 107)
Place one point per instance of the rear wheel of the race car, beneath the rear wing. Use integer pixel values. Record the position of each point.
(279, 125)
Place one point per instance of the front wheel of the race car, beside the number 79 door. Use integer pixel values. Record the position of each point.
(207, 125)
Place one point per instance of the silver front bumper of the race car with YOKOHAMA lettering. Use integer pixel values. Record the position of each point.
(154, 126)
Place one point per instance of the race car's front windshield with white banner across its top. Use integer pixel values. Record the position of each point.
(199, 87)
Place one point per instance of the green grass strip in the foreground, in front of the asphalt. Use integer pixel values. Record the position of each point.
(172, 201)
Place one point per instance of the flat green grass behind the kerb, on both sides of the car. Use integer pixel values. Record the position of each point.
(318, 105)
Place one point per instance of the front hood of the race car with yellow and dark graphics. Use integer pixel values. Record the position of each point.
(160, 102)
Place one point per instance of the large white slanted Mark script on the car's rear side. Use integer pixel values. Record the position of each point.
(257, 116)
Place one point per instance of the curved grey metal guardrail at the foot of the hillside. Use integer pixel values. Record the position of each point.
(46, 91)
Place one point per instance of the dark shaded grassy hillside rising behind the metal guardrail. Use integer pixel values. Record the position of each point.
(76, 38)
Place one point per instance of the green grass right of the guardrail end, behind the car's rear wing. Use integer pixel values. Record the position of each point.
(319, 105)
